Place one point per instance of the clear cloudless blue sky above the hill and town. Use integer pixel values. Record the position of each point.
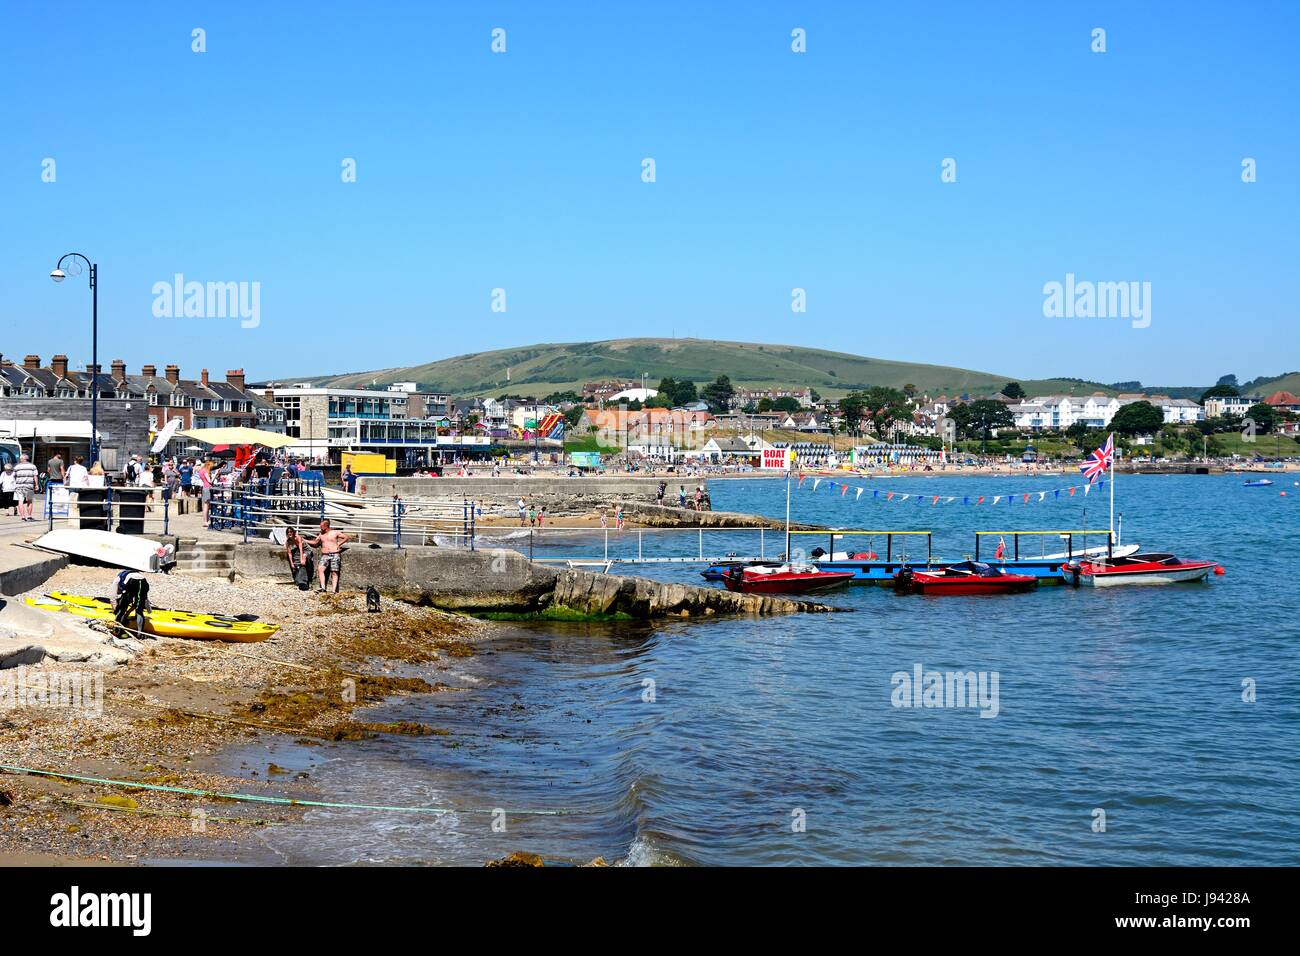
(774, 171)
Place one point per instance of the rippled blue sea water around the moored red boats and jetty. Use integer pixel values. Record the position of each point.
(1121, 732)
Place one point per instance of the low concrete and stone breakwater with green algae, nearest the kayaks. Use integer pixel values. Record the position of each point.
(505, 582)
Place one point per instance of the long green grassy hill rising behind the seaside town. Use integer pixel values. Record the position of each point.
(541, 369)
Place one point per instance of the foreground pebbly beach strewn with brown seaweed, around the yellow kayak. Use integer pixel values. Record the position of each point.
(176, 704)
